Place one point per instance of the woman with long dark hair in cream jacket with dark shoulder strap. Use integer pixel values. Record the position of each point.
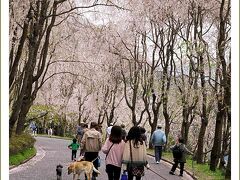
(134, 154)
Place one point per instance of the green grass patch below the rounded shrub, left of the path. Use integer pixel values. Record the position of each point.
(22, 156)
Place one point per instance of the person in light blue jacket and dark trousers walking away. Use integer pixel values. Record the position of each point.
(158, 140)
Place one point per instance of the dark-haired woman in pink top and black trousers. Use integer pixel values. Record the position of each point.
(113, 148)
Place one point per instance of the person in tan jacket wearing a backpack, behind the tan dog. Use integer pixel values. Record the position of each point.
(91, 145)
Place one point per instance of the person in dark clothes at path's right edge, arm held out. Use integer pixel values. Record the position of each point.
(179, 154)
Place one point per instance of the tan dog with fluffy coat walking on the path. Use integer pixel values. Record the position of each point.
(79, 166)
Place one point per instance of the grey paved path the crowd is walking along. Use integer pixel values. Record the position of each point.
(53, 151)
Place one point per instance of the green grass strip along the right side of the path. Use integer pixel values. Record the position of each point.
(201, 171)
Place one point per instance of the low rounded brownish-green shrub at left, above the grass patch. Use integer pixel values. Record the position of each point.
(19, 143)
